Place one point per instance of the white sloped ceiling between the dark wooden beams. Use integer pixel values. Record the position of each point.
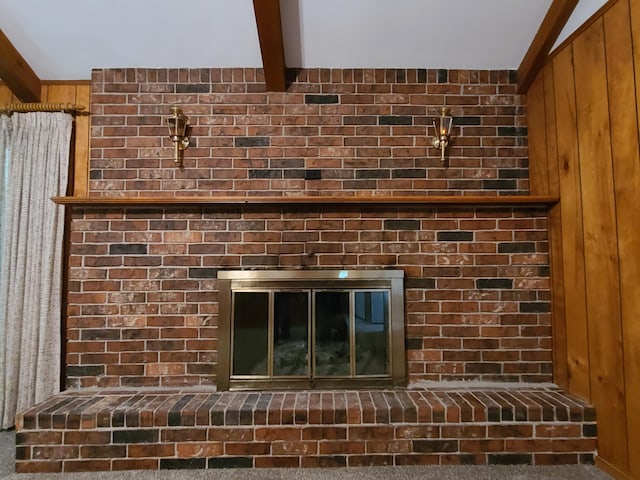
(65, 39)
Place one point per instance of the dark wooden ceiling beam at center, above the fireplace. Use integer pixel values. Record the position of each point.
(269, 25)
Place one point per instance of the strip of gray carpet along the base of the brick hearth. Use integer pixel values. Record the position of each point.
(572, 472)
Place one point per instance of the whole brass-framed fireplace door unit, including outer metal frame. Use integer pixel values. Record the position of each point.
(311, 329)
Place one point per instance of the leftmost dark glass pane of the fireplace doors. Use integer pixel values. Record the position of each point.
(251, 333)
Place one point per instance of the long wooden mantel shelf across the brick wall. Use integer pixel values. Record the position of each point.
(229, 201)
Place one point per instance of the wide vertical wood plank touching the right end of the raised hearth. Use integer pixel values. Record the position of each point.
(601, 255)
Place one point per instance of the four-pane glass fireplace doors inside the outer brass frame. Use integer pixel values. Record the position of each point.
(310, 334)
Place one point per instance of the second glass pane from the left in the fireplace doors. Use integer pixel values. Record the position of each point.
(291, 334)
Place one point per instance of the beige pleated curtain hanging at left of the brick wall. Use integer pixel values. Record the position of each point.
(35, 150)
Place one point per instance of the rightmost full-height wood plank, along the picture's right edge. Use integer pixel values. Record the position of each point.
(623, 88)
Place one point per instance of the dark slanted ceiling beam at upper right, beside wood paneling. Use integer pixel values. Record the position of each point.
(551, 27)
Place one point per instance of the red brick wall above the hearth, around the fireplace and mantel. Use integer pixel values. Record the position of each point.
(143, 298)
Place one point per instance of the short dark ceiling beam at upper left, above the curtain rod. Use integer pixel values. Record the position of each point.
(16, 73)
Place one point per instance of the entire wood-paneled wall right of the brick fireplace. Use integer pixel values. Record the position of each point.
(583, 111)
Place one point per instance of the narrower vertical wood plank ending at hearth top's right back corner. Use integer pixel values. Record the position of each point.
(572, 231)
